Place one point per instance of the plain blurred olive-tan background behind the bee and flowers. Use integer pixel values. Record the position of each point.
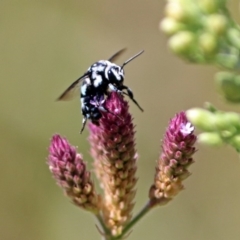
(44, 46)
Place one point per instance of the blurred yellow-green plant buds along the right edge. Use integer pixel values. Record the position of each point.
(204, 32)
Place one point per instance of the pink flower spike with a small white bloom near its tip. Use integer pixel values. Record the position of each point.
(172, 167)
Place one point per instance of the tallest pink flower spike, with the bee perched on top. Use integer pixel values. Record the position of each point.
(113, 148)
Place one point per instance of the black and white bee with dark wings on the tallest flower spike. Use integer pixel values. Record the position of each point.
(101, 78)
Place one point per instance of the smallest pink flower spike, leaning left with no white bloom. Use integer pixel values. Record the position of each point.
(71, 175)
